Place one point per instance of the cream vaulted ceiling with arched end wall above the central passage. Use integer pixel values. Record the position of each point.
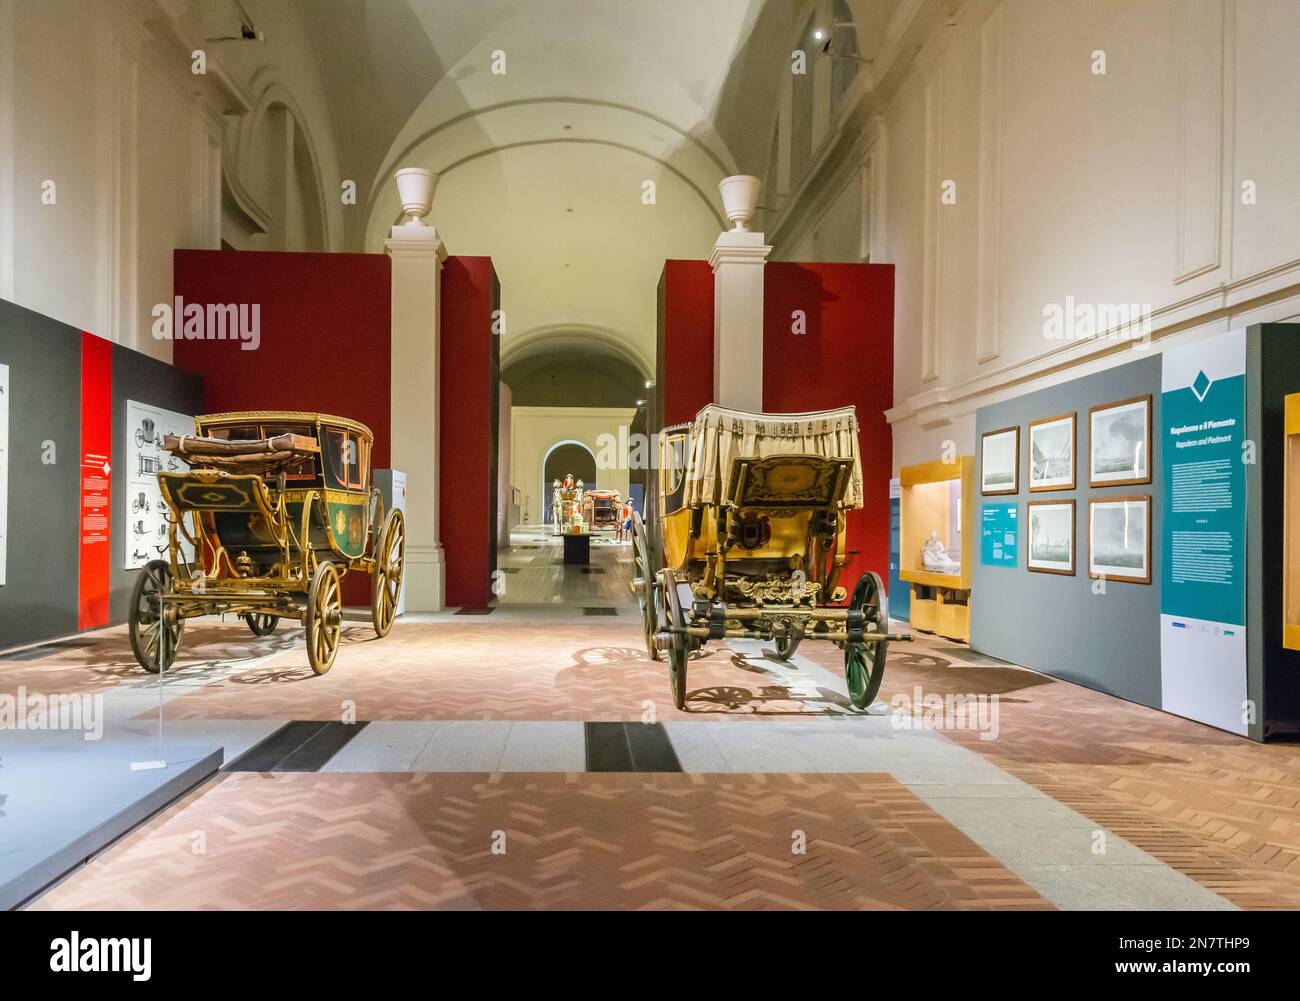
(544, 164)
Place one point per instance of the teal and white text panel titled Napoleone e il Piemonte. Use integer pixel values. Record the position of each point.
(1203, 538)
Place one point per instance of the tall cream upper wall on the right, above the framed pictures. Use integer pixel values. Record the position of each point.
(1117, 188)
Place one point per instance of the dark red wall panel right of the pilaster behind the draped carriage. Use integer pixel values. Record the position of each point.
(844, 358)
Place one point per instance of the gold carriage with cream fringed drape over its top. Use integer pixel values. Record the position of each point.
(751, 541)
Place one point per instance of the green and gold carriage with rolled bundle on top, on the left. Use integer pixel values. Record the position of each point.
(278, 508)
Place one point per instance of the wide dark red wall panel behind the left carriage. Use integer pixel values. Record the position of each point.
(324, 341)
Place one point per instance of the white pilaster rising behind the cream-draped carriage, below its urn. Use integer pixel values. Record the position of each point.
(738, 262)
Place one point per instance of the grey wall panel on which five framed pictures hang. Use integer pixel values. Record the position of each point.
(1055, 623)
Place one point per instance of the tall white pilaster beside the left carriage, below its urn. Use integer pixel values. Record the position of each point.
(418, 255)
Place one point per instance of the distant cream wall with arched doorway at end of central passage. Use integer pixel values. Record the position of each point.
(535, 430)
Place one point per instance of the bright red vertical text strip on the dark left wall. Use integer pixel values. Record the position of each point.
(97, 452)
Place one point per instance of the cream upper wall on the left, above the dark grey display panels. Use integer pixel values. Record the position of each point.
(98, 97)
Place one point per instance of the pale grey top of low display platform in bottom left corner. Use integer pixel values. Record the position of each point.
(63, 799)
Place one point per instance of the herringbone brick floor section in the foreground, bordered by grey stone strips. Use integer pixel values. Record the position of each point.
(571, 842)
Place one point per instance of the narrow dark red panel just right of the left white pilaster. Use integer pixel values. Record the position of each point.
(469, 405)
